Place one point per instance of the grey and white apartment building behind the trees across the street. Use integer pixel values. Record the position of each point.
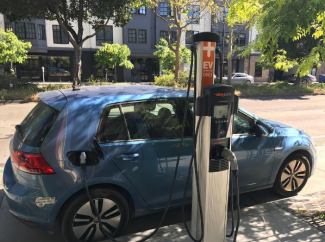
(51, 48)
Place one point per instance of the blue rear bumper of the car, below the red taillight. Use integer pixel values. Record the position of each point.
(22, 200)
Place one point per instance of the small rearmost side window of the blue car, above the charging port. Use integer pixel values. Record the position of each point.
(112, 126)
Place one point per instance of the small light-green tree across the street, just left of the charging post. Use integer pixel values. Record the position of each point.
(167, 57)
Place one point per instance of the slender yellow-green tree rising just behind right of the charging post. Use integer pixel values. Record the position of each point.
(240, 15)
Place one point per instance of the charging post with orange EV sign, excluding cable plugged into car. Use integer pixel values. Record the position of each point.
(215, 104)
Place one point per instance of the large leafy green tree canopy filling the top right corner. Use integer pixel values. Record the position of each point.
(284, 26)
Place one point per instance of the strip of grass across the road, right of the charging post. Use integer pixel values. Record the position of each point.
(279, 88)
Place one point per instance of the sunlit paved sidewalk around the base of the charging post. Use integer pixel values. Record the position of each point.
(266, 222)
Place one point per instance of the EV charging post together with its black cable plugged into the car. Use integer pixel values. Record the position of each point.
(215, 105)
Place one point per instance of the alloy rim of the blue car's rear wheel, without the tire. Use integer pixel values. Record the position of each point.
(85, 223)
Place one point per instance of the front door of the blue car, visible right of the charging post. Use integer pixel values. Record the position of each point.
(255, 155)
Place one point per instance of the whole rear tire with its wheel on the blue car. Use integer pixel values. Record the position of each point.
(77, 222)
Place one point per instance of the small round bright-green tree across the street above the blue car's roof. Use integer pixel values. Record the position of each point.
(113, 55)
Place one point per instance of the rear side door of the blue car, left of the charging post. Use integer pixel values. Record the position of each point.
(147, 155)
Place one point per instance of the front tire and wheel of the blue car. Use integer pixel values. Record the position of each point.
(292, 176)
